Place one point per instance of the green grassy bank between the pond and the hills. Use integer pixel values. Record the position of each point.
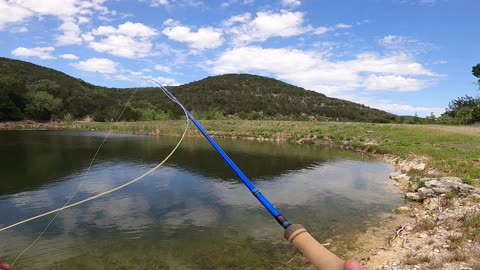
(450, 150)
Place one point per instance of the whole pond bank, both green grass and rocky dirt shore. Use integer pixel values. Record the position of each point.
(441, 230)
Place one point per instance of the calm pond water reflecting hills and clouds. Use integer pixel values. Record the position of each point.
(191, 213)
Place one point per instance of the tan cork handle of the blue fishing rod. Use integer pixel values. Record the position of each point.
(318, 255)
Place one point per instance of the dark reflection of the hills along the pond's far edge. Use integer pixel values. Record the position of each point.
(49, 156)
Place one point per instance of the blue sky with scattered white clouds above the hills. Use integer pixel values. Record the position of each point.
(401, 56)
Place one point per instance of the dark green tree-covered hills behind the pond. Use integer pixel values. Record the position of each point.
(29, 91)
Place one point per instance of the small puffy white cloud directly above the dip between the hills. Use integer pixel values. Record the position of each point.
(204, 38)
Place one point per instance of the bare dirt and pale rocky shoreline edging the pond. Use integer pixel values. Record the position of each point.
(429, 233)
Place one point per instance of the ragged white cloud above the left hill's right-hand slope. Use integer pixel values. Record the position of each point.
(129, 40)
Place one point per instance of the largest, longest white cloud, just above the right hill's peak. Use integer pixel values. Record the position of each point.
(314, 70)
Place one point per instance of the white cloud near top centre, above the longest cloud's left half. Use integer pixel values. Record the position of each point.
(266, 25)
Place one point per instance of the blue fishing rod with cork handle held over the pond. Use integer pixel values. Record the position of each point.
(318, 255)
